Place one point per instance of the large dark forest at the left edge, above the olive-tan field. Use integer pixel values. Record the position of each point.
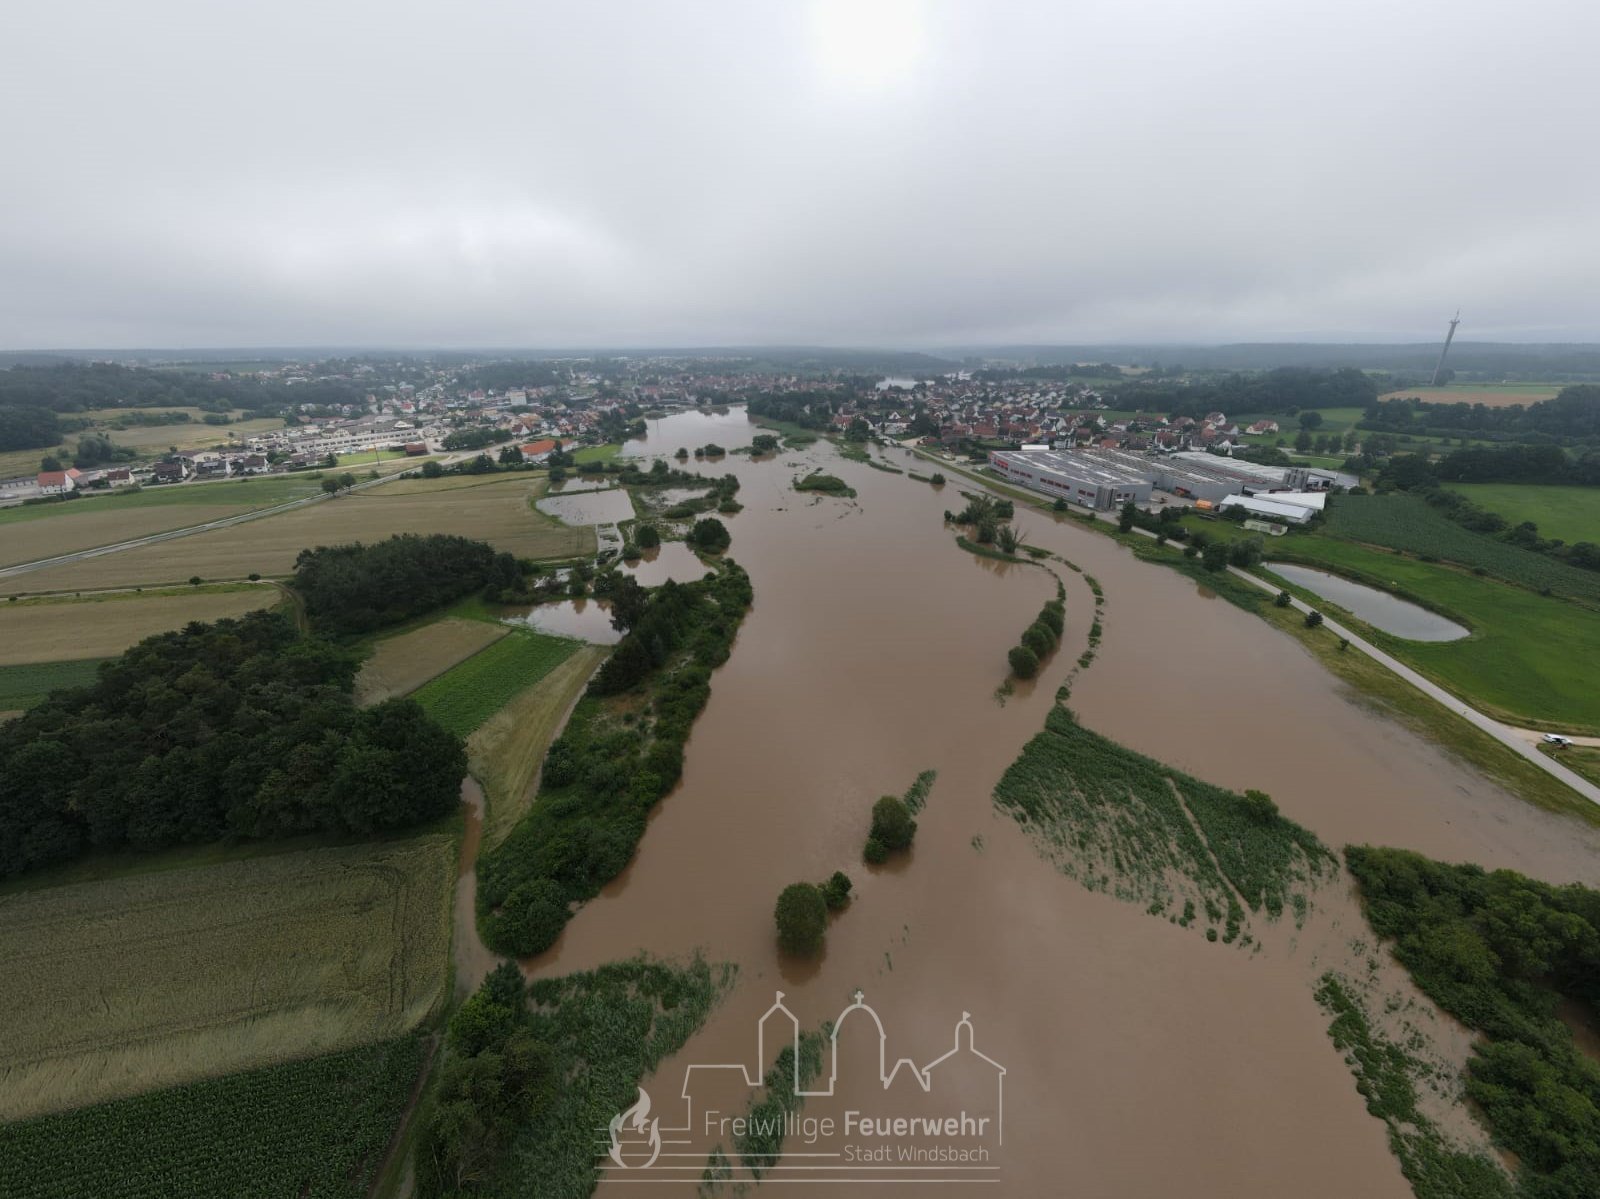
(239, 729)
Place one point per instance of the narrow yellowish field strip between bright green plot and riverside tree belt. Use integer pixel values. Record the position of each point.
(506, 752)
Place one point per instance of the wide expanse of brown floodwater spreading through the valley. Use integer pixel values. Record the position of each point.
(1140, 1059)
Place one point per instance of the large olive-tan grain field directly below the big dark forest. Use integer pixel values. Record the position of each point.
(127, 985)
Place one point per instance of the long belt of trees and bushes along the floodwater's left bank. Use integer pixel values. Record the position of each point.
(622, 753)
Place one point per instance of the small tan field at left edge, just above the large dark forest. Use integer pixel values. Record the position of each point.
(103, 627)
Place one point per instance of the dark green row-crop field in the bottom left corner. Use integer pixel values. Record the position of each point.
(314, 1128)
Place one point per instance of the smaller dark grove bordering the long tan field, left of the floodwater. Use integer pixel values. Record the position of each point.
(361, 588)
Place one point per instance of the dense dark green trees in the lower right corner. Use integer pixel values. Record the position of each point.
(1502, 952)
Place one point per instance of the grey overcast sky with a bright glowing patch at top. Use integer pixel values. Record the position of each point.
(842, 172)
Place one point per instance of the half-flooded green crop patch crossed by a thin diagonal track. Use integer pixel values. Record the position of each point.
(1132, 827)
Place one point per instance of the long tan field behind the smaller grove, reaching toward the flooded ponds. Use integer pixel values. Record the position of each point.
(498, 513)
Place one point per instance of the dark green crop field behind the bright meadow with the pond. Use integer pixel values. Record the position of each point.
(1409, 523)
